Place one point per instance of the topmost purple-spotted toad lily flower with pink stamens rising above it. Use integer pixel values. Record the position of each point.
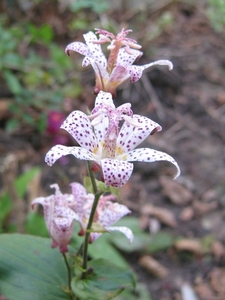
(118, 68)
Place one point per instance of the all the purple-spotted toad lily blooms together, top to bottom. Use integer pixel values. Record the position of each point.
(107, 137)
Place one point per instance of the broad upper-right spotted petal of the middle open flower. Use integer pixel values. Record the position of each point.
(131, 136)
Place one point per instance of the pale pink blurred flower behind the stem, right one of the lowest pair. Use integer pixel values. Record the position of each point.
(107, 213)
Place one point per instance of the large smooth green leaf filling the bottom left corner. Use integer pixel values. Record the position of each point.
(30, 269)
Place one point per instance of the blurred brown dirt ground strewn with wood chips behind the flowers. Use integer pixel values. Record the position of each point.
(189, 103)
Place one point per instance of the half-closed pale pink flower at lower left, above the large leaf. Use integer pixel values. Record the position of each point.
(59, 217)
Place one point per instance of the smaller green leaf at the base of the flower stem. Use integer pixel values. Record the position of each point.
(102, 284)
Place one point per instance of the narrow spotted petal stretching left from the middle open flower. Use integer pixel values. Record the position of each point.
(59, 151)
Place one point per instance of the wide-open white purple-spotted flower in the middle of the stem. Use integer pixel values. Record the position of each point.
(110, 145)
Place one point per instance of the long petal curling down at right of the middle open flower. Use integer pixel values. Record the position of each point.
(151, 155)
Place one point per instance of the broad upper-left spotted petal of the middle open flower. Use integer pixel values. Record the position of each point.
(79, 126)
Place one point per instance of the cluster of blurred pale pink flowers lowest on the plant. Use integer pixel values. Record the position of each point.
(61, 211)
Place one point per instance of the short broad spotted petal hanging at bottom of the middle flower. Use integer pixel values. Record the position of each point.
(116, 172)
